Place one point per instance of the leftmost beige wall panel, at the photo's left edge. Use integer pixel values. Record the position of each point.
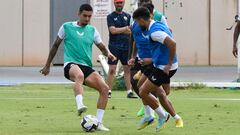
(11, 33)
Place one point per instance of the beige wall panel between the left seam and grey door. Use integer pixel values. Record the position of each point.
(36, 29)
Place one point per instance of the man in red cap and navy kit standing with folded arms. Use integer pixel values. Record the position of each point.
(119, 34)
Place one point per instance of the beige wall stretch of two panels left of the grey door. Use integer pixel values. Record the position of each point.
(25, 32)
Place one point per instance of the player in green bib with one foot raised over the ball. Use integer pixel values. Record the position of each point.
(78, 39)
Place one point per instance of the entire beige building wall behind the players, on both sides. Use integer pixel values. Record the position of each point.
(200, 31)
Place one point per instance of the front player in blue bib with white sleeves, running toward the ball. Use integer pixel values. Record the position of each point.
(164, 59)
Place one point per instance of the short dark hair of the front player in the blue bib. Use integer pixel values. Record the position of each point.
(141, 12)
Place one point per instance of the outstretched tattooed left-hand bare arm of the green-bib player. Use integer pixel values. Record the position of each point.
(46, 69)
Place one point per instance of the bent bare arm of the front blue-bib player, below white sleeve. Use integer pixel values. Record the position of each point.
(171, 44)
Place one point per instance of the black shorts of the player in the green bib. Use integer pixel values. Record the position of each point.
(85, 69)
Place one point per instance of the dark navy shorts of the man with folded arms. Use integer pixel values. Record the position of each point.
(121, 55)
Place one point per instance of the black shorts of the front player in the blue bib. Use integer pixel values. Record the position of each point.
(158, 77)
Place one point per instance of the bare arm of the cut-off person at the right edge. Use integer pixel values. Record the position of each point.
(235, 38)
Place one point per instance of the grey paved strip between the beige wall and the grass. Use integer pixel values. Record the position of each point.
(15, 75)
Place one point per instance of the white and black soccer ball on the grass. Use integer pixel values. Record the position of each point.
(89, 123)
